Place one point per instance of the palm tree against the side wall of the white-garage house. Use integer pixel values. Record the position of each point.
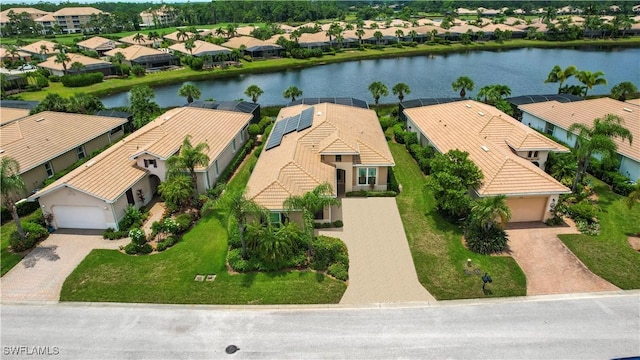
(189, 158)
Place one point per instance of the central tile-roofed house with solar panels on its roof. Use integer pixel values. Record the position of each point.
(310, 145)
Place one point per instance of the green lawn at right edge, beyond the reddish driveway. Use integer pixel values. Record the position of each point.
(609, 255)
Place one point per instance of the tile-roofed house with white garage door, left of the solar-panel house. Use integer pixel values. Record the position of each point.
(96, 194)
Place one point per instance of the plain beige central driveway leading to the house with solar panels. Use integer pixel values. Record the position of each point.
(381, 268)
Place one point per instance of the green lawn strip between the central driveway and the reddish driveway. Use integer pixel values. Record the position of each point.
(438, 253)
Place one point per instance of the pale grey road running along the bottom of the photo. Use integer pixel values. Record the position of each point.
(549, 327)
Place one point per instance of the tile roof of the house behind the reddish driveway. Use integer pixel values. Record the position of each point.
(483, 132)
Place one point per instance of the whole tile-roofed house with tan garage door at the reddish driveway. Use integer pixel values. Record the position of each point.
(510, 155)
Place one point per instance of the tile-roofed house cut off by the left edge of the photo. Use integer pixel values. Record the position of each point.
(47, 142)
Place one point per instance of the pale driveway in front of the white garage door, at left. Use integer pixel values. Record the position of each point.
(40, 275)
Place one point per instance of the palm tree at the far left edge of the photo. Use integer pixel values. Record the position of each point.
(11, 184)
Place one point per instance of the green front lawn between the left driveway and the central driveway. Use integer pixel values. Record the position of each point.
(168, 277)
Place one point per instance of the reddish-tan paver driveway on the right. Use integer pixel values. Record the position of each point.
(550, 267)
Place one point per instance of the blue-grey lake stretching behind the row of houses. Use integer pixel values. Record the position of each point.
(523, 70)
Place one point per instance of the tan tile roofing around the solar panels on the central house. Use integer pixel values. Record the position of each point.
(295, 167)
